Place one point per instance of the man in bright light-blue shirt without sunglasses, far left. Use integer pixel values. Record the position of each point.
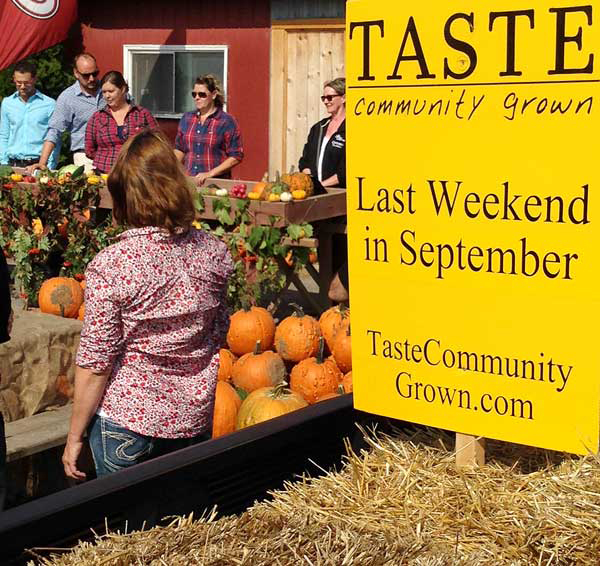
(24, 119)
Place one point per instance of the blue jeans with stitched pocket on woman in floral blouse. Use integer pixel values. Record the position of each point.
(115, 447)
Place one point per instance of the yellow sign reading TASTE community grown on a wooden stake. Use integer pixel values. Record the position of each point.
(474, 216)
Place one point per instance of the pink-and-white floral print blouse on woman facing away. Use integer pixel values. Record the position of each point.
(156, 317)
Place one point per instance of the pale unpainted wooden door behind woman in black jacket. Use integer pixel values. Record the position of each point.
(303, 57)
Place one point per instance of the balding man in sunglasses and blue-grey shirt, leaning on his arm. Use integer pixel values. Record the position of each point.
(74, 107)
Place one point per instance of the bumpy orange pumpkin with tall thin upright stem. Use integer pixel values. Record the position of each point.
(315, 377)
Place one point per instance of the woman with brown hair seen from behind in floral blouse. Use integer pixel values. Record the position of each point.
(155, 319)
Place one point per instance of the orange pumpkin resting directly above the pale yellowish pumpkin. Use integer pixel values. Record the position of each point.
(255, 370)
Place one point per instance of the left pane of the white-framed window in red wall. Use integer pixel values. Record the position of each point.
(153, 82)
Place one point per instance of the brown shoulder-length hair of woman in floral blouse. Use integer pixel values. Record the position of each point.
(149, 186)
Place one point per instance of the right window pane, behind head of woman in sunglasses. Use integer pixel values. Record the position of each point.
(188, 66)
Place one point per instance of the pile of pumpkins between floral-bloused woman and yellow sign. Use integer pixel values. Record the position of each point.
(263, 358)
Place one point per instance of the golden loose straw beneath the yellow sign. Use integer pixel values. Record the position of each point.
(401, 501)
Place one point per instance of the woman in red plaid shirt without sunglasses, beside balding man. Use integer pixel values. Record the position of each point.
(109, 128)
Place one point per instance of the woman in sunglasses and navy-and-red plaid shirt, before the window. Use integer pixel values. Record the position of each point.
(208, 139)
